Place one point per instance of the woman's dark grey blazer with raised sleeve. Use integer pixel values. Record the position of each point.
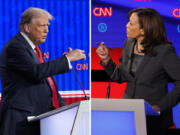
(152, 76)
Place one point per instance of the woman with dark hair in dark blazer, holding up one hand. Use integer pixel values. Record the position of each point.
(148, 63)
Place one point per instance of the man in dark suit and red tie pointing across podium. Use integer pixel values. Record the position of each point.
(28, 87)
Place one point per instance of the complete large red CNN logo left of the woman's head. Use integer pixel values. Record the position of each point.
(99, 11)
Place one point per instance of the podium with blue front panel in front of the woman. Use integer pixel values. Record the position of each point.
(119, 116)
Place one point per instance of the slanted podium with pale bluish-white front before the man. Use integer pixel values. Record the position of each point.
(72, 119)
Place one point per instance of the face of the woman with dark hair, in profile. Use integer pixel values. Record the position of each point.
(133, 28)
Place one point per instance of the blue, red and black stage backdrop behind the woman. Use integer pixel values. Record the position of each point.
(108, 24)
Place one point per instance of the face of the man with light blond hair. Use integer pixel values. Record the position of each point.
(38, 29)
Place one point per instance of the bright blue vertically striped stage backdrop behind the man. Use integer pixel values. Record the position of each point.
(70, 28)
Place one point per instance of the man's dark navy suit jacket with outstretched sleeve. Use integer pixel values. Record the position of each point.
(25, 88)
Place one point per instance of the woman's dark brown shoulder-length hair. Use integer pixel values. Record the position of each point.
(154, 30)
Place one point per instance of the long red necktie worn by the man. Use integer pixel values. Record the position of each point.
(51, 82)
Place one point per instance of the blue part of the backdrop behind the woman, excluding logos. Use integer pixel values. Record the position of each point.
(115, 35)
